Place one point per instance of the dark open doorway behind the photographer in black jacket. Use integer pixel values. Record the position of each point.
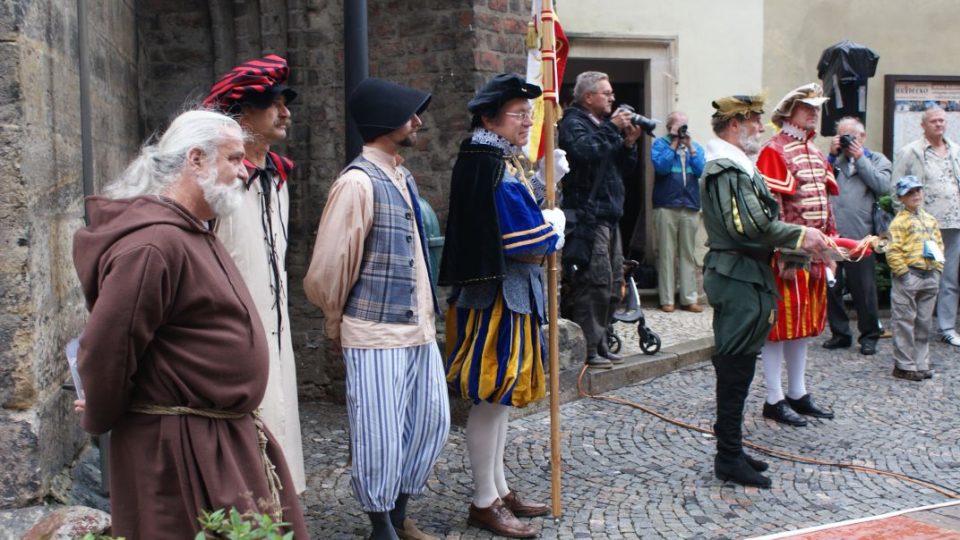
(628, 80)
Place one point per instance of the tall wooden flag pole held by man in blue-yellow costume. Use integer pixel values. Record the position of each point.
(550, 104)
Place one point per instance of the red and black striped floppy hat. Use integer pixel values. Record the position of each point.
(257, 83)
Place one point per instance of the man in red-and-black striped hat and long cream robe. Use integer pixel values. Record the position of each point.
(256, 234)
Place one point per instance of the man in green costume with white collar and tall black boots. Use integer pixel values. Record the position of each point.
(743, 227)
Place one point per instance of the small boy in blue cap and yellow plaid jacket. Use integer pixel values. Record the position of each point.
(915, 257)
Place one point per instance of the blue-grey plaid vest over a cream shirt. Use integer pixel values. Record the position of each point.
(386, 288)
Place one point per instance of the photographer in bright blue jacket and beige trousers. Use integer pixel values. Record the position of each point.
(678, 163)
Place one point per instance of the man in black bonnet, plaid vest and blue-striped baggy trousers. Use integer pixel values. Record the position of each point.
(370, 274)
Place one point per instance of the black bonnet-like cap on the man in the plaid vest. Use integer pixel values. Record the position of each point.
(379, 107)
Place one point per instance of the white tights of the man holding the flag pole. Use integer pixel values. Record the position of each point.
(486, 440)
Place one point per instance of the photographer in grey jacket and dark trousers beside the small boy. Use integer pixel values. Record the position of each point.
(863, 177)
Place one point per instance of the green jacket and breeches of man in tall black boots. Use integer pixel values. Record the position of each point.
(741, 218)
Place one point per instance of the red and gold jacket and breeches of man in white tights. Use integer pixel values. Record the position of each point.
(802, 180)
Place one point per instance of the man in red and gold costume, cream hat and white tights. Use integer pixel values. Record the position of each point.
(801, 179)
